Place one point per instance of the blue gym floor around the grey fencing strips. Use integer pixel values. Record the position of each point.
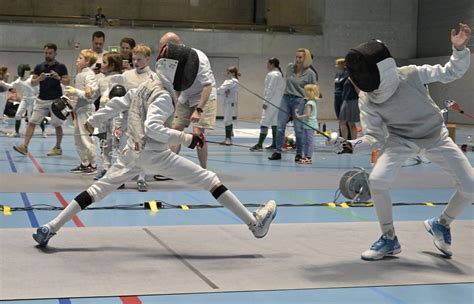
(235, 159)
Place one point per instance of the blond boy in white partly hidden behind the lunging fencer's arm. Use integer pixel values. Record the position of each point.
(133, 78)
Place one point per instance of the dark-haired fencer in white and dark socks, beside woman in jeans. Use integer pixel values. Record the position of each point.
(274, 88)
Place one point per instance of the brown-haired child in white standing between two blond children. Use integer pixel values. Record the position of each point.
(112, 69)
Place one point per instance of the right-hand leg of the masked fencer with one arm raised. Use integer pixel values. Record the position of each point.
(449, 157)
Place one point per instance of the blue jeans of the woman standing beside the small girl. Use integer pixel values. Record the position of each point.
(288, 107)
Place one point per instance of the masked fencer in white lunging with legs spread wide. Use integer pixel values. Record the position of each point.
(149, 107)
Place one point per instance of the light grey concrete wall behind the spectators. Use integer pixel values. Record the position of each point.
(347, 23)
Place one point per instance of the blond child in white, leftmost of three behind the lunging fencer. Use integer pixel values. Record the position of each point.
(83, 94)
